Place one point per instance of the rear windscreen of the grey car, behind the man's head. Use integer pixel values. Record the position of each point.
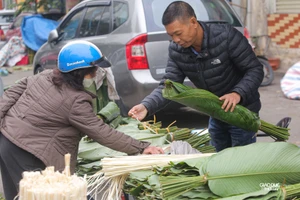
(205, 10)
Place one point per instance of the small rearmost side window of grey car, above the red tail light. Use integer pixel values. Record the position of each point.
(120, 14)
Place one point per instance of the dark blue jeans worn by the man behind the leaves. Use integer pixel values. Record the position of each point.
(224, 135)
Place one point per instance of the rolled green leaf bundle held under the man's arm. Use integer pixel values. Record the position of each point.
(209, 104)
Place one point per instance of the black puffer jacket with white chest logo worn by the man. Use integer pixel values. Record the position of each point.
(225, 64)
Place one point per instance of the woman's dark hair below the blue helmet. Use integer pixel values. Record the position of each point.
(73, 78)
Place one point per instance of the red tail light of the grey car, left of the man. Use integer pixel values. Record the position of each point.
(136, 53)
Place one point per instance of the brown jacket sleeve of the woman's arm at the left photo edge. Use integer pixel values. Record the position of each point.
(11, 96)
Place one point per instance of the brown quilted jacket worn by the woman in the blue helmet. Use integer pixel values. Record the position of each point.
(49, 122)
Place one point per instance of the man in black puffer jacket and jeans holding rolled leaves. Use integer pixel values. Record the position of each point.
(215, 57)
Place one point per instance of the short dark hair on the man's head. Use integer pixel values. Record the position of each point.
(178, 10)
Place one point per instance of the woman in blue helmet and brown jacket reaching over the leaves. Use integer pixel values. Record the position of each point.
(43, 117)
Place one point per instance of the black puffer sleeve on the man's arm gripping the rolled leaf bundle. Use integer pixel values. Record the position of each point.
(244, 58)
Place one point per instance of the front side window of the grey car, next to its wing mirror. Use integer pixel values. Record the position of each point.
(67, 30)
